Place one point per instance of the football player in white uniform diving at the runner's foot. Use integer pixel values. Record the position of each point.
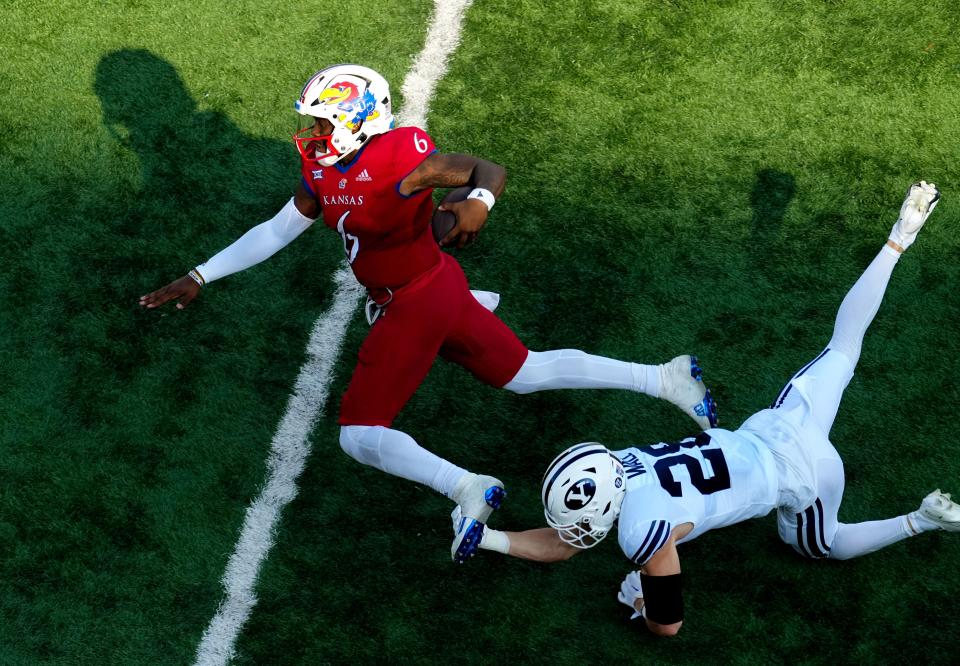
(780, 458)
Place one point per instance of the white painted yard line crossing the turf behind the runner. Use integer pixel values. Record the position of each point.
(290, 446)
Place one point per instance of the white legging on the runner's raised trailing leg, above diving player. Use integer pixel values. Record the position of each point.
(572, 368)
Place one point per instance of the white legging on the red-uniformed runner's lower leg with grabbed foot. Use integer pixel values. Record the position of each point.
(396, 453)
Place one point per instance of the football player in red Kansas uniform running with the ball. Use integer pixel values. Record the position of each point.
(372, 183)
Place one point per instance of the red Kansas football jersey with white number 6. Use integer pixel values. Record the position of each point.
(386, 236)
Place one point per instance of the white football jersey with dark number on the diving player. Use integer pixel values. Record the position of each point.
(715, 479)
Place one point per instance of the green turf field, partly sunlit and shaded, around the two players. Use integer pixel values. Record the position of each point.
(704, 177)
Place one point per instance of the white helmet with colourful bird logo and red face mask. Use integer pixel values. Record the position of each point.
(356, 101)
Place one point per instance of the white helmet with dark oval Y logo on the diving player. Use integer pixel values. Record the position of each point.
(583, 489)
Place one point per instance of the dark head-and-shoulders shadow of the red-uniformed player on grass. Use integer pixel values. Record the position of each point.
(198, 171)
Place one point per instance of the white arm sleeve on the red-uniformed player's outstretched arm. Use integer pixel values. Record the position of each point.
(261, 242)
